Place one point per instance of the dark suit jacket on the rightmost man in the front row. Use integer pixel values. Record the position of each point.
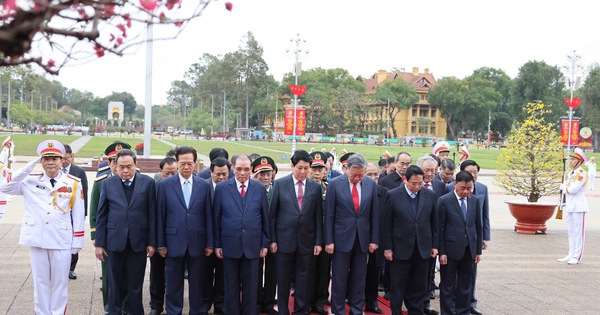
(456, 232)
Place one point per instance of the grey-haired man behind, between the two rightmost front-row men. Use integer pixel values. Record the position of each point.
(429, 165)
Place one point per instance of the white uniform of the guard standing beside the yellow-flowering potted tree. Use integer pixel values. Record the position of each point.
(575, 208)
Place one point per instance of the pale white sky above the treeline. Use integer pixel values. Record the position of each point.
(451, 38)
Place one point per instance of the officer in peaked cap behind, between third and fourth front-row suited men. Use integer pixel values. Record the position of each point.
(262, 167)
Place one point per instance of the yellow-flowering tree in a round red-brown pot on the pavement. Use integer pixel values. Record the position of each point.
(531, 165)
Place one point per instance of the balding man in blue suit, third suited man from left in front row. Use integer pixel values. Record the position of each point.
(241, 235)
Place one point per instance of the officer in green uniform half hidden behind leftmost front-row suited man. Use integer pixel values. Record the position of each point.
(104, 172)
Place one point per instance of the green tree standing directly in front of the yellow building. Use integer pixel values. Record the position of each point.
(400, 95)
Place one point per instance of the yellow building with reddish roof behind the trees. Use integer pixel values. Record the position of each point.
(418, 121)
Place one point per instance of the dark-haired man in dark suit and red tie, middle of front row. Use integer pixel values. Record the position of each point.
(296, 214)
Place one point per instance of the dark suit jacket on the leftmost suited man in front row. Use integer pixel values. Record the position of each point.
(117, 221)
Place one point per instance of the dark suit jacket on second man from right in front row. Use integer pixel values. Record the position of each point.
(402, 230)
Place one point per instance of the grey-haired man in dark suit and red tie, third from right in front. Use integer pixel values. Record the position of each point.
(351, 232)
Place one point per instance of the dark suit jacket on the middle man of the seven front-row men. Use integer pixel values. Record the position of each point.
(295, 229)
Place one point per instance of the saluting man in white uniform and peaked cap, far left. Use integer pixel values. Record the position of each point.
(52, 199)
